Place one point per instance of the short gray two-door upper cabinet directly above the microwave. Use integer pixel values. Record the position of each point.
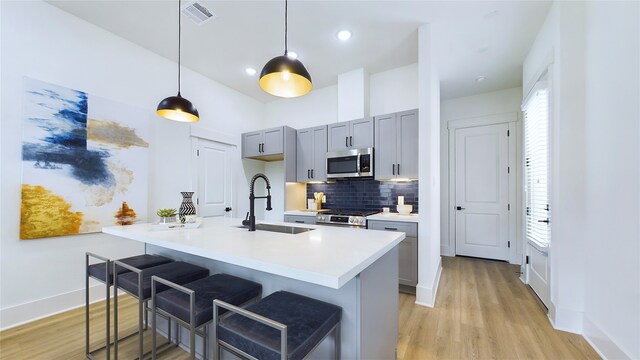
(354, 134)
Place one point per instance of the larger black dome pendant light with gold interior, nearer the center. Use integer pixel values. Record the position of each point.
(283, 76)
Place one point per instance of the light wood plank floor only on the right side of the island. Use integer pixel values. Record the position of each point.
(483, 311)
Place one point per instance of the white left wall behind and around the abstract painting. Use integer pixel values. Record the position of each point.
(44, 276)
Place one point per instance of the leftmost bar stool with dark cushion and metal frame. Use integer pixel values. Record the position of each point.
(103, 272)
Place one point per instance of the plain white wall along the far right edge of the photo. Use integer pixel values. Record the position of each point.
(612, 181)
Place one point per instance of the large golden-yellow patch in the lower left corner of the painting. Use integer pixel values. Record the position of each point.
(45, 214)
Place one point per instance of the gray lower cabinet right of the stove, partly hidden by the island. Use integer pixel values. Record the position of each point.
(407, 250)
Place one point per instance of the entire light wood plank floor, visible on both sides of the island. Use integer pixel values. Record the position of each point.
(483, 311)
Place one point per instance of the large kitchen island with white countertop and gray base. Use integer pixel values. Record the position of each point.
(354, 269)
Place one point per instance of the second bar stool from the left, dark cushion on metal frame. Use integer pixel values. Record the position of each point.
(137, 283)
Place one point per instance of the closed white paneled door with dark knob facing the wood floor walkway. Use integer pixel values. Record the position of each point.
(482, 191)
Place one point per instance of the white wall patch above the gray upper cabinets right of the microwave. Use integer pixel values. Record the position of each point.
(394, 90)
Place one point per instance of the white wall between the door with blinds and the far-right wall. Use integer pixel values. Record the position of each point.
(561, 42)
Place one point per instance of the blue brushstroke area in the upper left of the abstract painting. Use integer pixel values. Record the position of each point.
(61, 114)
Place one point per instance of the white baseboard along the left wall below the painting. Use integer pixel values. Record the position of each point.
(24, 313)
